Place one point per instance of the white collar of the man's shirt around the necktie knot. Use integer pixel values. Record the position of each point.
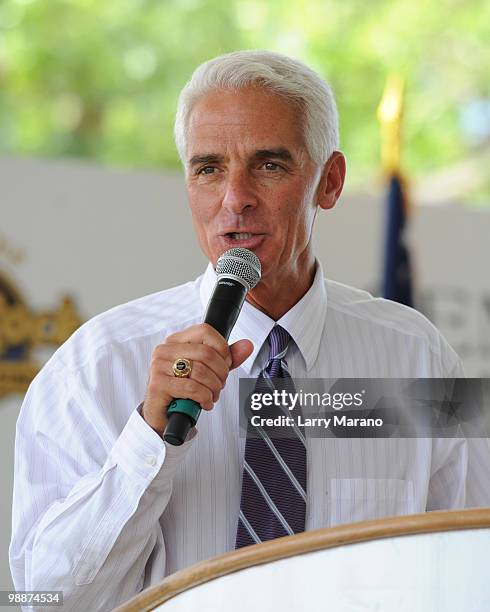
(304, 321)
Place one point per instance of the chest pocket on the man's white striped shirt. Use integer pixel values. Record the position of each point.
(361, 499)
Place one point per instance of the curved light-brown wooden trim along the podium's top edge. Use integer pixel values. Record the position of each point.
(301, 543)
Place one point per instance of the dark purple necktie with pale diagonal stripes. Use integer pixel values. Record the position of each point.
(273, 501)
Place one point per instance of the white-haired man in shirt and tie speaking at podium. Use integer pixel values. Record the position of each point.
(103, 506)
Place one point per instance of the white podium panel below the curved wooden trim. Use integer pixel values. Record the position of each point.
(446, 572)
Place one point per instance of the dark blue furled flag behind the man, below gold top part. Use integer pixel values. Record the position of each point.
(397, 273)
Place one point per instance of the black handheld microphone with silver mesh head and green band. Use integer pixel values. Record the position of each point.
(238, 272)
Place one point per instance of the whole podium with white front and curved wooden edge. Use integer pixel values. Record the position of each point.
(415, 563)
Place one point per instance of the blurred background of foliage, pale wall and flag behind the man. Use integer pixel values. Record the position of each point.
(92, 199)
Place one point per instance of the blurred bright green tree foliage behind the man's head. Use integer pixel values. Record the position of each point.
(99, 79)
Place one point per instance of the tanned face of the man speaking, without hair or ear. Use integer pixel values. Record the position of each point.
(250, 180)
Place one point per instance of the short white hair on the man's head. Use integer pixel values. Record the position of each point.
(278, 73)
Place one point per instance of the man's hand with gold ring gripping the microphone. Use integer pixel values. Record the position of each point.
(212, 360)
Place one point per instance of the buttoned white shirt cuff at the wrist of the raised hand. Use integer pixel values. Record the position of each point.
(144, 456)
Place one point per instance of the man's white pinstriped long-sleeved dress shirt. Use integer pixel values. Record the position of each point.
(104, 508)
